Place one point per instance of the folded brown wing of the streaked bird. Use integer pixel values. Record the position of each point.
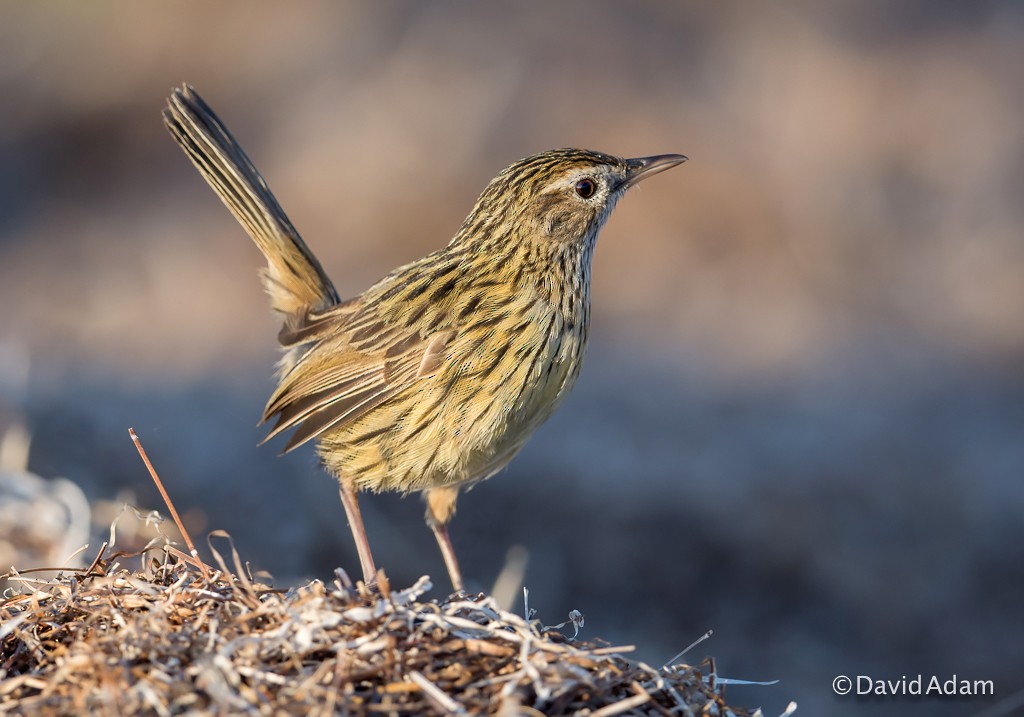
(351, 371)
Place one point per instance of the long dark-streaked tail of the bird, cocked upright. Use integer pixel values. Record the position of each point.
(293, 278)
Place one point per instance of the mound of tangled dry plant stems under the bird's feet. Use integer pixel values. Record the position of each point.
(178, 637)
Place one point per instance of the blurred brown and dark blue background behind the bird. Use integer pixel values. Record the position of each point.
(801, 419)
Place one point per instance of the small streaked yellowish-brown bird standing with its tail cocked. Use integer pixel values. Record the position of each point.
(435, 377)
